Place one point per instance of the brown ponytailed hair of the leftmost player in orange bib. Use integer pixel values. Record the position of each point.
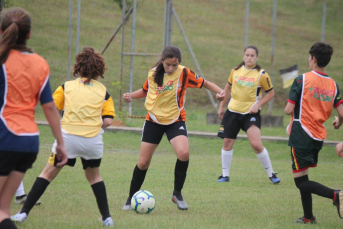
(15, 27)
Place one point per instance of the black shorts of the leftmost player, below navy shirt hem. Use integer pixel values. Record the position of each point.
(15, 161)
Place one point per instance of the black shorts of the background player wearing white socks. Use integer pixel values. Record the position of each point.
(233, 122)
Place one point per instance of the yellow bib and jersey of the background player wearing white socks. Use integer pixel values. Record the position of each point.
(246, 88)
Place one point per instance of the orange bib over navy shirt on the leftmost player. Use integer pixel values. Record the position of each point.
(24, 80)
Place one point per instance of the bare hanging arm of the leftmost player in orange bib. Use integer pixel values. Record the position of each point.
(53, 119)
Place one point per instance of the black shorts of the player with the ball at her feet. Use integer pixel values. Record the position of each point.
(153, 132)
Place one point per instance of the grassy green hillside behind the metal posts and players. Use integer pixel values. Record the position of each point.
(215, 29)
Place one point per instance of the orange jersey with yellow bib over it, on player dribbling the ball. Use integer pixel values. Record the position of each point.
(165, 104)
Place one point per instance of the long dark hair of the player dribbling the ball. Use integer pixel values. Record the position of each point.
(168, 52)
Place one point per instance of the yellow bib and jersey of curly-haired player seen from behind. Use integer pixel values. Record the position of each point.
(84, 106)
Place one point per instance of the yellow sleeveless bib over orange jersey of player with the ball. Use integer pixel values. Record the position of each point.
(162, 102)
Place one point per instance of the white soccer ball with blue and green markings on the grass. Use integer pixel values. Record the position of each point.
(143, 202)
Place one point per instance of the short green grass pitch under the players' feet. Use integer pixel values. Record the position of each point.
(249, 200)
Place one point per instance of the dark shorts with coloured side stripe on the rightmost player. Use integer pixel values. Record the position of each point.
(302, 159)
